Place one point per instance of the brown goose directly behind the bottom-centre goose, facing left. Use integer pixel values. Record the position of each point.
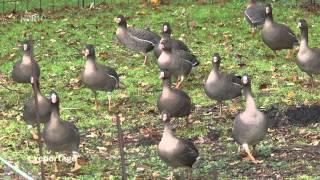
(174, 101)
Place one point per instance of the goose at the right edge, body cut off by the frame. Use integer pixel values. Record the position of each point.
(308, 59)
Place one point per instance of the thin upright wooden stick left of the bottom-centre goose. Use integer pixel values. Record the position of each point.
(121, 147)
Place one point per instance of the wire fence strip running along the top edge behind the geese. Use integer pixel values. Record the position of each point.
(13, 6)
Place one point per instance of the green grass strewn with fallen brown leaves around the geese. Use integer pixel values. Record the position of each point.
(206, 29)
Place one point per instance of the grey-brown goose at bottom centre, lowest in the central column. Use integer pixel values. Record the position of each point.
(176, 152)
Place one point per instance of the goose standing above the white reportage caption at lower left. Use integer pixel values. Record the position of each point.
(61, 136)
